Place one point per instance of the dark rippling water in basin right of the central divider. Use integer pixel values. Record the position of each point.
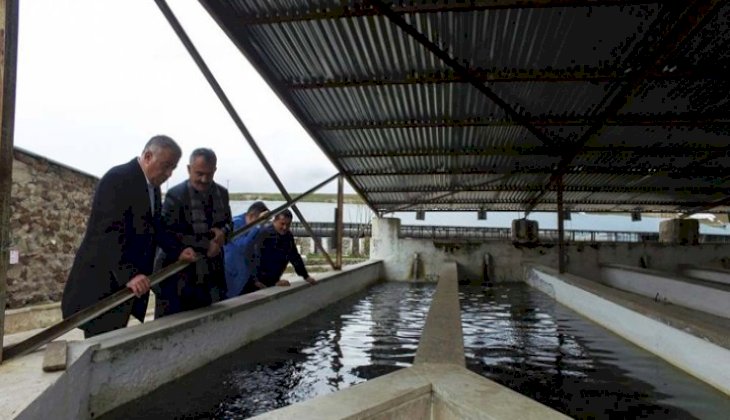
(521, 338)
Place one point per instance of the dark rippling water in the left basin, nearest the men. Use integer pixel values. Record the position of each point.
(359, 338)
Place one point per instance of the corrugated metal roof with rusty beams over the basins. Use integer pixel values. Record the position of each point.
(626, 101)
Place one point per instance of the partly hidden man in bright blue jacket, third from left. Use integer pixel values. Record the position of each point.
(237, 264)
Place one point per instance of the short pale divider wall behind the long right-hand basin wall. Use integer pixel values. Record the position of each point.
(709, 298)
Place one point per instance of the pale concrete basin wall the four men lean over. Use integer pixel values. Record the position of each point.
(112, 369)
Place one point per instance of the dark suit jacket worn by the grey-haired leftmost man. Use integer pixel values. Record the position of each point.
(120, 241)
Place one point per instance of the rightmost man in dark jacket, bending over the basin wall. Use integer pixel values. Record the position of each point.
(274, 248)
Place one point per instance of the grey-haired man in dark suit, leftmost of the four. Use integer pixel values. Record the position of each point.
(122, 234)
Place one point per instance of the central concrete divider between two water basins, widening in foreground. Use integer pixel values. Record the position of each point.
(438, 386)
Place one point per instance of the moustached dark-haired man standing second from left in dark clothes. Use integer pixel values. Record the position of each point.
(197, 211)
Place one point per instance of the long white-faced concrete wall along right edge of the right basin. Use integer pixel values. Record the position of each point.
(682, 349)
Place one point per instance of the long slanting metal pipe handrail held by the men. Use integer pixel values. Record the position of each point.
(116, 299)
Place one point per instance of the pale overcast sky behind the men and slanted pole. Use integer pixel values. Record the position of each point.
(97, 78)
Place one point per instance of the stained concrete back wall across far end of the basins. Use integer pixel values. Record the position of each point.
(508, 260)
